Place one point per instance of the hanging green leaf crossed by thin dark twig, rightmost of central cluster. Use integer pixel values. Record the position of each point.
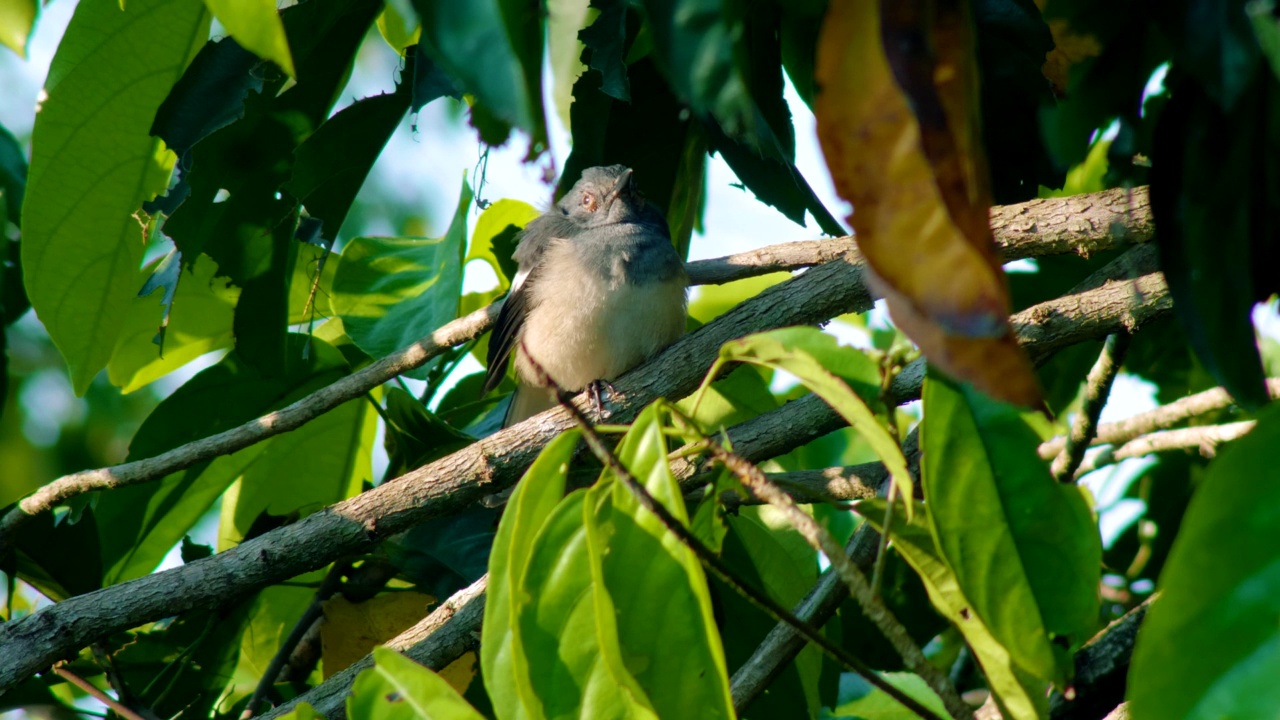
(668, 605)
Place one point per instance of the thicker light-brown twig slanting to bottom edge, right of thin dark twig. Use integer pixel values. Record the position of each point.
(860, 587)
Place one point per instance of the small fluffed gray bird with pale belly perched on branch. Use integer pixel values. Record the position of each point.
(600, 290)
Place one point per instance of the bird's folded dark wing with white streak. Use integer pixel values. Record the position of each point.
(534, 241)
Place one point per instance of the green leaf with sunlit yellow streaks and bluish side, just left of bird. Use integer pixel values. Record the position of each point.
(392, 291)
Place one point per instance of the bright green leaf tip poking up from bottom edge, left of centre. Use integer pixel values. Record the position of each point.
(397, 689)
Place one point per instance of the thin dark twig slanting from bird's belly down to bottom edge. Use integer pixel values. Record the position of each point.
(714, 563)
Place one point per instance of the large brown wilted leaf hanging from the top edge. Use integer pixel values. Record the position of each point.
(902, 140)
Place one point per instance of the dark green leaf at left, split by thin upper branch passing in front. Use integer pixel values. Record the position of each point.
(141, 523)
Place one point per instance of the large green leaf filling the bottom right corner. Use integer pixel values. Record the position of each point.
(1210, 648)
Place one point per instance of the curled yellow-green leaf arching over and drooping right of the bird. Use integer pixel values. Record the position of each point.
(828, 370)
